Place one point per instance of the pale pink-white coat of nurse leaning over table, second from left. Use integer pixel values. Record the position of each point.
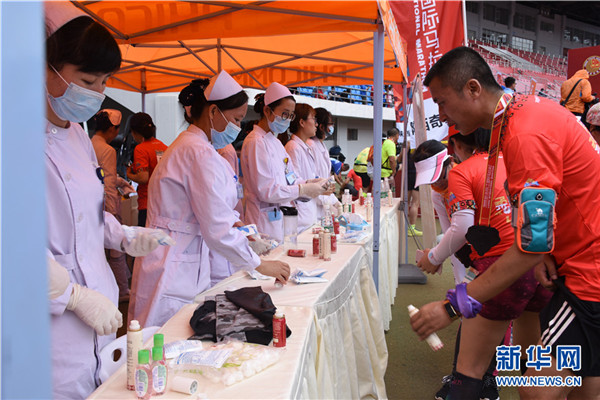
(191, 196)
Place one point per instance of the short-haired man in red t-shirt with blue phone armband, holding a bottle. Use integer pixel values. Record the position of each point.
(544, 147)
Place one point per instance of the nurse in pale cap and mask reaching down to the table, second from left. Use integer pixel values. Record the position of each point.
(192, 195)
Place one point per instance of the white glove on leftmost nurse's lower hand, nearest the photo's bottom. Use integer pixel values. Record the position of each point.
(95, 309)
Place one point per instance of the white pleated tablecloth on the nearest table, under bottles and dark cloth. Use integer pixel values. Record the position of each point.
(337, 348)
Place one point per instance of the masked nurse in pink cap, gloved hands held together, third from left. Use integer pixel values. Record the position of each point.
(269, 177)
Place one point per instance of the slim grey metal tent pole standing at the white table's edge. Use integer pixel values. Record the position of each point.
(378, 46)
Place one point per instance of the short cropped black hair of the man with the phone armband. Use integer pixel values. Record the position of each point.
(458, 66)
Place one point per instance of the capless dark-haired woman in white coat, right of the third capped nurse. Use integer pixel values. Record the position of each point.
(304, 160)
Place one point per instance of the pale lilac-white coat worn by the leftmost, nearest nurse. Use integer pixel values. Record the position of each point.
(78, 232)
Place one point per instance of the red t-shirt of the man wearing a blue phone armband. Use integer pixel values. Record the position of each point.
(544, 145)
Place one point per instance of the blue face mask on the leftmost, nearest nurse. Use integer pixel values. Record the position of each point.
(77, 104)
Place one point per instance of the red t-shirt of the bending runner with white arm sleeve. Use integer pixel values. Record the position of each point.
(465, 191)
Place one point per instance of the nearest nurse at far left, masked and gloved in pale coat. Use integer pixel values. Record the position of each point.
(82, 289)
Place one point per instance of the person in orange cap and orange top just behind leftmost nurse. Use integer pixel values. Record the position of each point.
(107, 128)
